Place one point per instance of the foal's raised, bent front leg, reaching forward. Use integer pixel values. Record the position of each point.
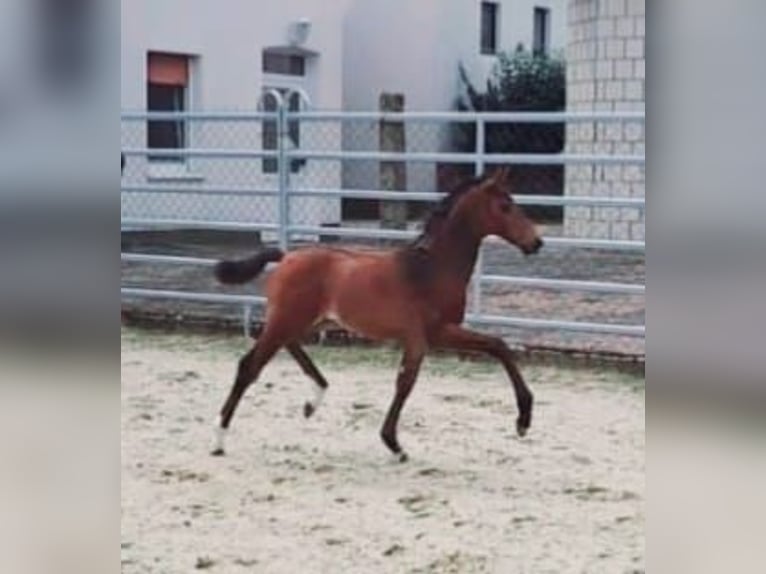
(455, 337)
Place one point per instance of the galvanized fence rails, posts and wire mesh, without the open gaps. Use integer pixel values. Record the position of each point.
(246, 143)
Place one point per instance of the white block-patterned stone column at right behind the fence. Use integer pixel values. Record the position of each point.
(606, 56)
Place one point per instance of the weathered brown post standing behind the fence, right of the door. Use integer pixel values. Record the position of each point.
(393, 174)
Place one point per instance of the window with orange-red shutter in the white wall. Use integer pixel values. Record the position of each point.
(166, 91)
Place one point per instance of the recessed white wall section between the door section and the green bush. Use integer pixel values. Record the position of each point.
(415, 48)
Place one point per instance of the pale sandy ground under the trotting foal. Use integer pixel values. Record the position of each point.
(323, 495)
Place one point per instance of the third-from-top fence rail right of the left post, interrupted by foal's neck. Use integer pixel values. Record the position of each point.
(430, 196)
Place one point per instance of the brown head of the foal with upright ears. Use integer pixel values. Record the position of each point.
(489, 209)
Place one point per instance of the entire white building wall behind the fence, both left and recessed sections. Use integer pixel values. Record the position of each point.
(365, 47)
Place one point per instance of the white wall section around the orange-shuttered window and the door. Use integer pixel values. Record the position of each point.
(227, 40)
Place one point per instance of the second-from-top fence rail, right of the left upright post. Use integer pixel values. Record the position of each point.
(467, 158)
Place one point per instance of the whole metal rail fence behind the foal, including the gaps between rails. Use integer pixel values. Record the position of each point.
(306, 176)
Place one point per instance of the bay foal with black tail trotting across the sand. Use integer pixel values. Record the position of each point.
(414, 295)
